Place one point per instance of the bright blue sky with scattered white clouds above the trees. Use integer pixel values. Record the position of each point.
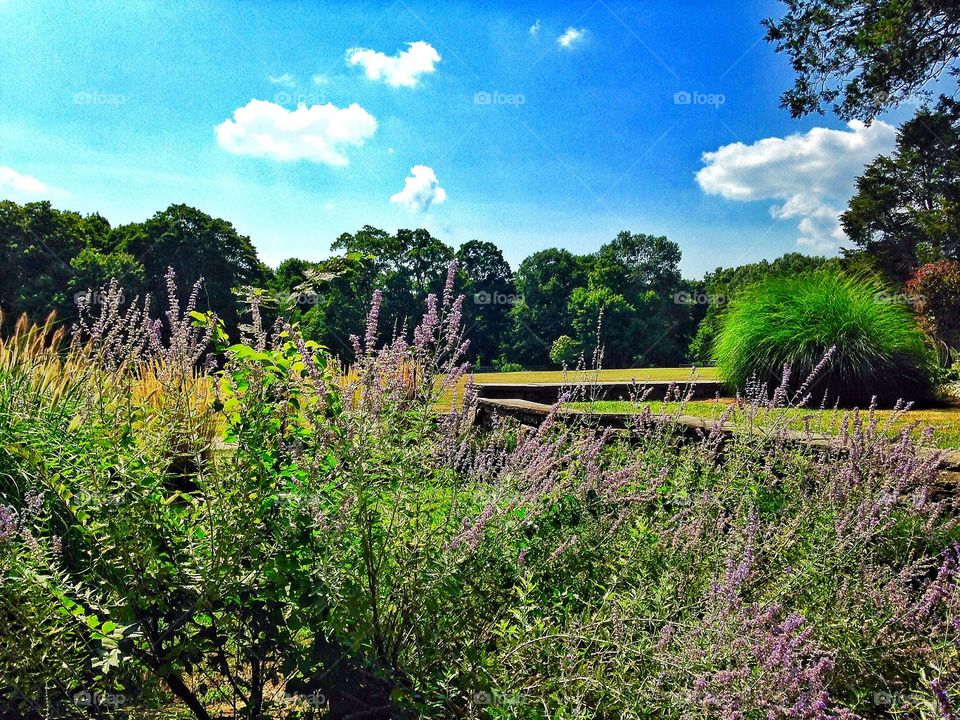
(534, 125)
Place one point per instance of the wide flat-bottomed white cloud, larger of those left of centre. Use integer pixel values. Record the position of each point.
(319, 132)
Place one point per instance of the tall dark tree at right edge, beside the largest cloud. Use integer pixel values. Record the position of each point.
(907, 207)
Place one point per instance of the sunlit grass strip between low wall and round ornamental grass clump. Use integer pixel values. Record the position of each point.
(944, 420)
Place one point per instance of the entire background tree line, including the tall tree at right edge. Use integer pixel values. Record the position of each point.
(629, 293)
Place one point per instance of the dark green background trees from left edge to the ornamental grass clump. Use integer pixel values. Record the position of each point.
(514, 318)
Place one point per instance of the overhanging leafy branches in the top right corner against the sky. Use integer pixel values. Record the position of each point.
(864, 56)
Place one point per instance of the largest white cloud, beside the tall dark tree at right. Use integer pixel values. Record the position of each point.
(811, 175)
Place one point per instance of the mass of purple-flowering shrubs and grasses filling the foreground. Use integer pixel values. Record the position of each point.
(316, 543)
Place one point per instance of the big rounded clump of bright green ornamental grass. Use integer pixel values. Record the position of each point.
(877, 348)
